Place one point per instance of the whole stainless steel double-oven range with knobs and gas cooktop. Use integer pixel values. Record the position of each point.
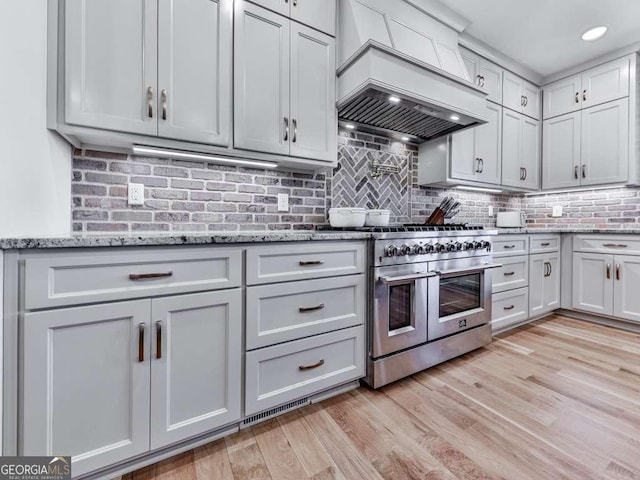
(430, 297)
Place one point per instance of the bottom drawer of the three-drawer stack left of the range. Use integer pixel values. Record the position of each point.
(286, 372)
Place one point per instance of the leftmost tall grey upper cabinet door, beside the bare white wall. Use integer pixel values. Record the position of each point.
(111, 64)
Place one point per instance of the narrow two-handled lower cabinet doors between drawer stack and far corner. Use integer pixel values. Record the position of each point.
(544, 283)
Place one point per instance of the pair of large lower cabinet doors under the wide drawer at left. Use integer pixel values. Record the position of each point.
(108, 382)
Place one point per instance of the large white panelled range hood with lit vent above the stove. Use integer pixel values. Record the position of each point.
(401, 73)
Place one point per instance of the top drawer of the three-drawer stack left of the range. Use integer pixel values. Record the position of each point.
(304, 260)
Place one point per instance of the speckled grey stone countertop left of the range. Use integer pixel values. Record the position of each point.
(175, 238)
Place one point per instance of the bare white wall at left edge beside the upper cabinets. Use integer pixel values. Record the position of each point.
(35, 164)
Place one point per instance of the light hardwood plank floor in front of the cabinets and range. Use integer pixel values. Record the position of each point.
(557, 399)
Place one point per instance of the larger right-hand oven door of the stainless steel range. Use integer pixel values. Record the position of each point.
(459, 296)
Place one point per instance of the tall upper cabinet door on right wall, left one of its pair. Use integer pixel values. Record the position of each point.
(561, 151)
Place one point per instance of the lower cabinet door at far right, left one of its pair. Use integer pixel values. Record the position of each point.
(593, 283)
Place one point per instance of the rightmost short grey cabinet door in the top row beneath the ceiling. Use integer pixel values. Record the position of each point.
(605, 83)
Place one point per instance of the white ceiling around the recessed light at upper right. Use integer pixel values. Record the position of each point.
(544, 35)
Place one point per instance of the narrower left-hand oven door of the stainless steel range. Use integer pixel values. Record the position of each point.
(399, 308)
